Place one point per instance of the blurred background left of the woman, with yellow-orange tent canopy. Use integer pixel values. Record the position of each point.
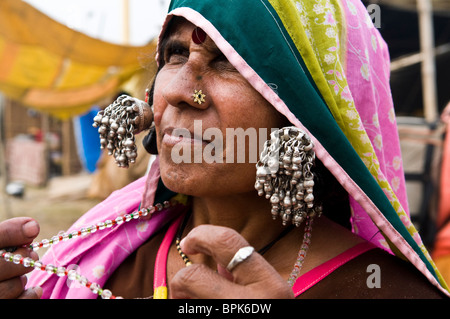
(60, 63)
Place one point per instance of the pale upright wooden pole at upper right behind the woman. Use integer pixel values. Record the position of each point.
(426, 32)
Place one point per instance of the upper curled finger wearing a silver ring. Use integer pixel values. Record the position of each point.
(222, 243)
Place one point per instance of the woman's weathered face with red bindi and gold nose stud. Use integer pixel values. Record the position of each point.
(200, 144)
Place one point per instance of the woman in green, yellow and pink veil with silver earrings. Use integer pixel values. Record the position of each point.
(319, 71)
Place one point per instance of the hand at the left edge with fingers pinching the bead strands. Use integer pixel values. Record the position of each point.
(17, 232)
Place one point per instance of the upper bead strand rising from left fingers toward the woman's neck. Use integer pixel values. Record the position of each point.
(100, 226)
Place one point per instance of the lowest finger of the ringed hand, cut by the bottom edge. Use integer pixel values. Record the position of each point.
(201, 282)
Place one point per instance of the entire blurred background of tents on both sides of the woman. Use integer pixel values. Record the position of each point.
(62, 61)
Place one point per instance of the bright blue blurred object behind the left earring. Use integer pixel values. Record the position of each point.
(87, 139)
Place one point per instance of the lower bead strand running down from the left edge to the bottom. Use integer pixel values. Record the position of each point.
(59, 271)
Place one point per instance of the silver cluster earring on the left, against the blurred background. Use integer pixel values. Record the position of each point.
(118, 123)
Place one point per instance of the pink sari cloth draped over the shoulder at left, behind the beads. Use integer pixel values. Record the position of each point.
(97, 255)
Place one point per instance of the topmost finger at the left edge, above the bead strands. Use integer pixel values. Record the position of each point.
(18, 231)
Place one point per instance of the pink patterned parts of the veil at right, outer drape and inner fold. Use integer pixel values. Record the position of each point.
(368, 72)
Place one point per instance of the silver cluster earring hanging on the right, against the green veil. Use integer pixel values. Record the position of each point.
(284, 176)
